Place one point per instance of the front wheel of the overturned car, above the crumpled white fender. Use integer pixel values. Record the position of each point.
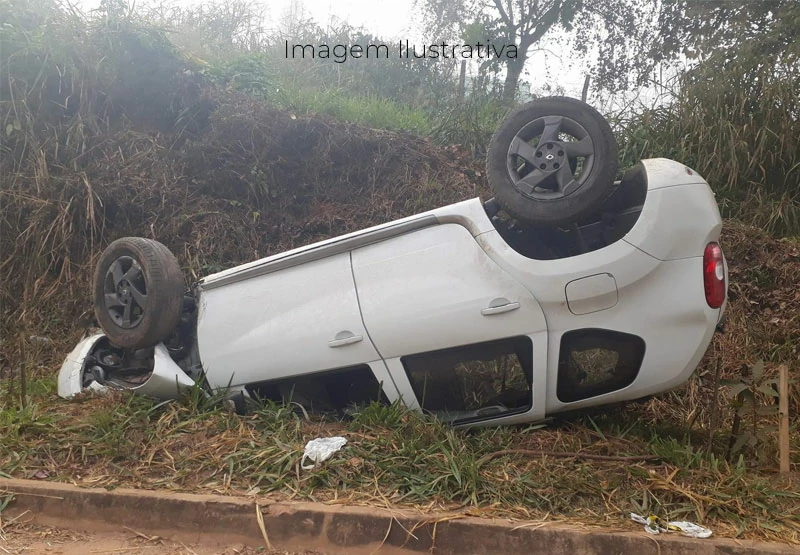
(138, 292)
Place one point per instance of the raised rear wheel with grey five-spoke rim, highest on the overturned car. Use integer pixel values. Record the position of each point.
(552, 181)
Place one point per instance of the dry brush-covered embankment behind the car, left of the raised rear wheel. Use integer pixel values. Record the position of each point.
(237, 182)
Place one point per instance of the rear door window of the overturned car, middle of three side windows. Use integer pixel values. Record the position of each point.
(475, 382)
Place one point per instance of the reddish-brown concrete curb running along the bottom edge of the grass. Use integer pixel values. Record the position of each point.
(334, 528)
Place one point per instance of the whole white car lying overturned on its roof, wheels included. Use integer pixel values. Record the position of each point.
(567, 290)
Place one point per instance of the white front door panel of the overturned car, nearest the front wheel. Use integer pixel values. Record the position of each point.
(298, 320)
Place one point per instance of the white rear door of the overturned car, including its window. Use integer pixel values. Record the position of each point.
(461, 338)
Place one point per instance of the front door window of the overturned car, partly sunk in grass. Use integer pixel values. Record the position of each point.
(324, 392)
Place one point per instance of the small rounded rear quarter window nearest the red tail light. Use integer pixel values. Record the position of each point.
(595, 362)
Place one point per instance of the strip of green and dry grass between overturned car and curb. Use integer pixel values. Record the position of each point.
(395, 457)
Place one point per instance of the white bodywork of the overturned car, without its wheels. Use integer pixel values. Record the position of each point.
(437, 288)
